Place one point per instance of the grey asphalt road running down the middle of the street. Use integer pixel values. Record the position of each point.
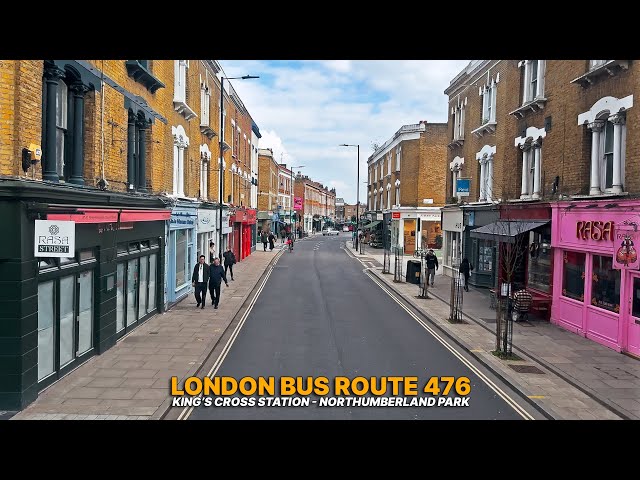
(321, 315)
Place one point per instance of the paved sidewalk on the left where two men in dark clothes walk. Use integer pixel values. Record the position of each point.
(130, 381)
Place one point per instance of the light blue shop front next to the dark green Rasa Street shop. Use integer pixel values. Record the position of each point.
(182, 247)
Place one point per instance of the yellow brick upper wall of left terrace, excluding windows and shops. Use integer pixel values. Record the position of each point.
(105, 129)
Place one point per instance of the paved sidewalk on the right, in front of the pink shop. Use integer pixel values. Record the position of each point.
(563, 374)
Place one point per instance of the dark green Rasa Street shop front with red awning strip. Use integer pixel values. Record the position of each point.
(56, 312)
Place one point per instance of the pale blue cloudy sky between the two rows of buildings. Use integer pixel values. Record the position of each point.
(306, 108)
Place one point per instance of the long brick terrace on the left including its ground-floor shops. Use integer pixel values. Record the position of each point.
(116, 155)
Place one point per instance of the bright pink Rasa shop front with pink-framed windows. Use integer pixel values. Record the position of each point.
(596, 285)
